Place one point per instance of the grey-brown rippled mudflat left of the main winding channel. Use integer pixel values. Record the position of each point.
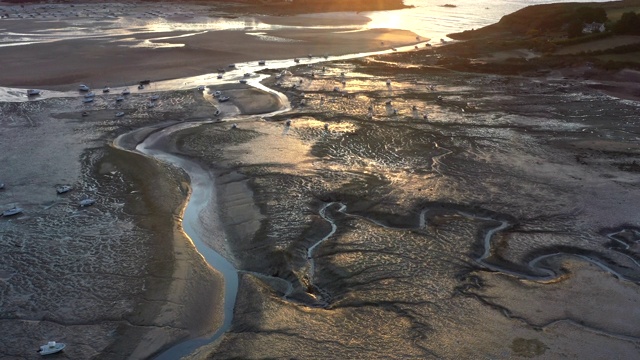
(119, 274)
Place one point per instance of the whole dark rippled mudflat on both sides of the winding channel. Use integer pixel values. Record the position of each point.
(398, 210)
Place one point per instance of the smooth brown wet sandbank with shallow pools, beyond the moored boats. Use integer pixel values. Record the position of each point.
(115, 58)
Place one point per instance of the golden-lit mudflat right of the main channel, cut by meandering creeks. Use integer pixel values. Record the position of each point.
(420, 251)
